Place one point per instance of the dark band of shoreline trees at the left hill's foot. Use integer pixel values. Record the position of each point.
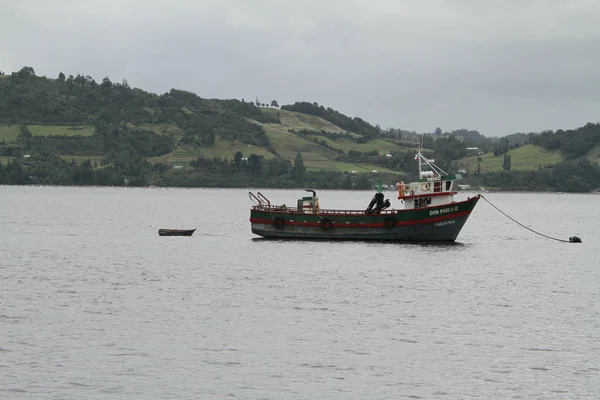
(251, 171)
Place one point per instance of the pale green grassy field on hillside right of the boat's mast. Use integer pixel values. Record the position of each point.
(525, 158)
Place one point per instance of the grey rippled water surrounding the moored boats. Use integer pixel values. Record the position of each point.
(115, 311)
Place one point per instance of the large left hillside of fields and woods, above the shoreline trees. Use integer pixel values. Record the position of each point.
(77, 107)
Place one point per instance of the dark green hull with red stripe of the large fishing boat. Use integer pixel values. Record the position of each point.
(432, 224)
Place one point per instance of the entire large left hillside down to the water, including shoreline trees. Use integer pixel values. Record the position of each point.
(130, 134)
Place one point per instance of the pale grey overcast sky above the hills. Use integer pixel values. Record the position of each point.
(499, 67)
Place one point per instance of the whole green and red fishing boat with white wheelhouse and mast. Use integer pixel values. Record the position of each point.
(427, 212)
